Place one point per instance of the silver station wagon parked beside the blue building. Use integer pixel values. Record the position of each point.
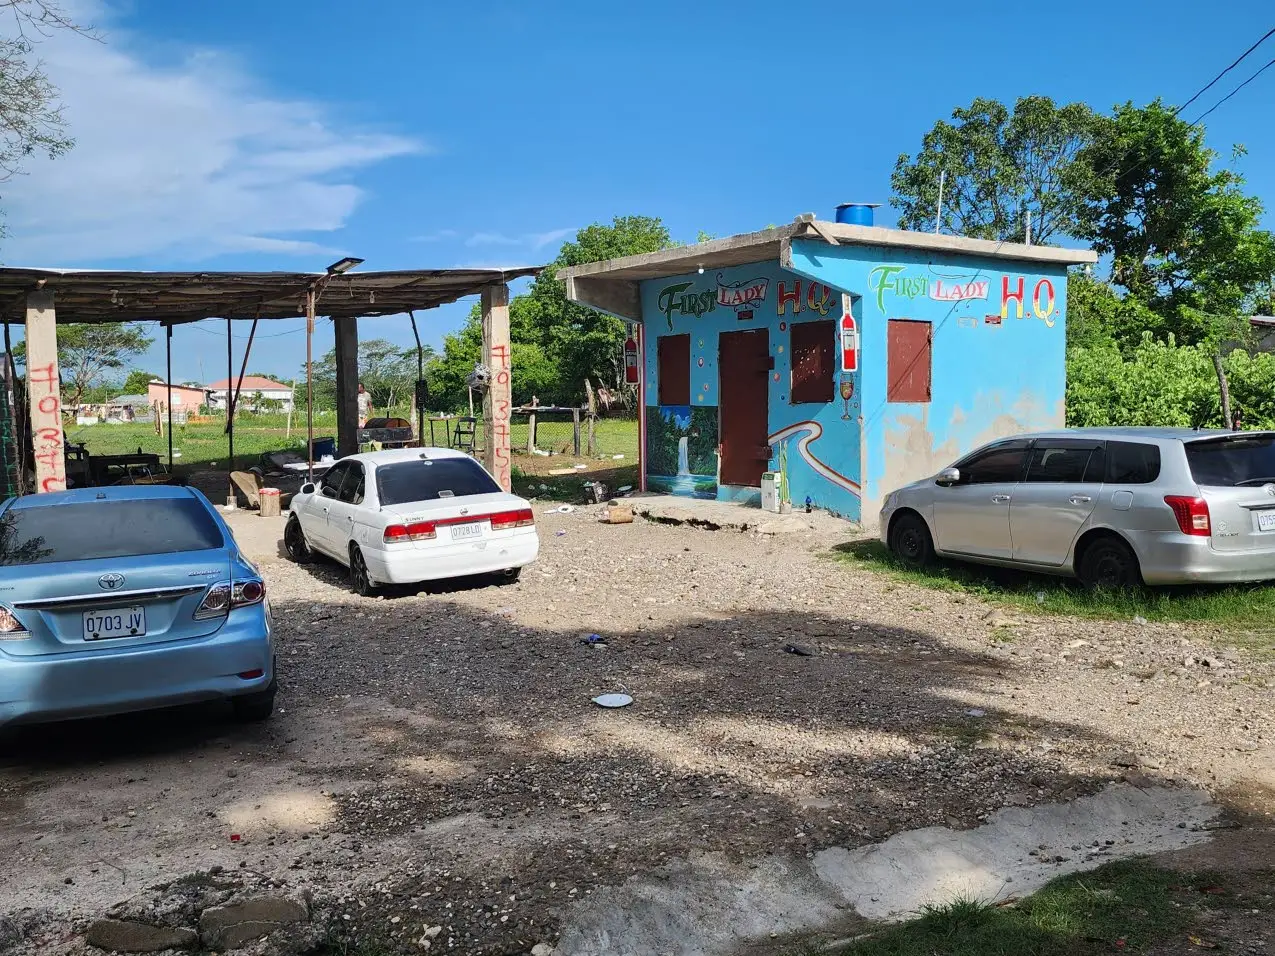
(1114, 507)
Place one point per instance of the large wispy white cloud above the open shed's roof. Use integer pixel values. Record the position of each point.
(189, 161)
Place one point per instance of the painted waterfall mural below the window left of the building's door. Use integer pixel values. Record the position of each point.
(681, 449)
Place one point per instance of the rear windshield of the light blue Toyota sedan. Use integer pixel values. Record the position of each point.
(91, 531)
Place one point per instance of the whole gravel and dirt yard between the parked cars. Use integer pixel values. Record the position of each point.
(437, 776)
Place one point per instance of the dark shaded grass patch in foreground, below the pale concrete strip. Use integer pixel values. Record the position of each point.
(1124, 907)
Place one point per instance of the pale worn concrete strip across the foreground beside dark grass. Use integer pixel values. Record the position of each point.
(710, 907)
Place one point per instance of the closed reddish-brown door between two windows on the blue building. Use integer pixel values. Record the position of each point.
(744, 368)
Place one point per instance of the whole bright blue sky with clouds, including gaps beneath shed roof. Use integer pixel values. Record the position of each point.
(415, 133)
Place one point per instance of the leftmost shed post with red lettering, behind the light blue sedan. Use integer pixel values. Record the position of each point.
(45, 393)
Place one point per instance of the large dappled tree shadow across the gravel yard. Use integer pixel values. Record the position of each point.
(472, 740)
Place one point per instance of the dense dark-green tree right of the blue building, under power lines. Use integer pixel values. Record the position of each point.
(1184, 238)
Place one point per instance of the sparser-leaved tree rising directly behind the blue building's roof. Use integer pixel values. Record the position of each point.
(999, 166)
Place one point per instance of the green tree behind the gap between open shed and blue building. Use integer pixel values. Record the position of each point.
(557, 344)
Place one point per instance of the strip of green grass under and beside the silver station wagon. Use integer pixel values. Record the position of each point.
(1237, 606)
